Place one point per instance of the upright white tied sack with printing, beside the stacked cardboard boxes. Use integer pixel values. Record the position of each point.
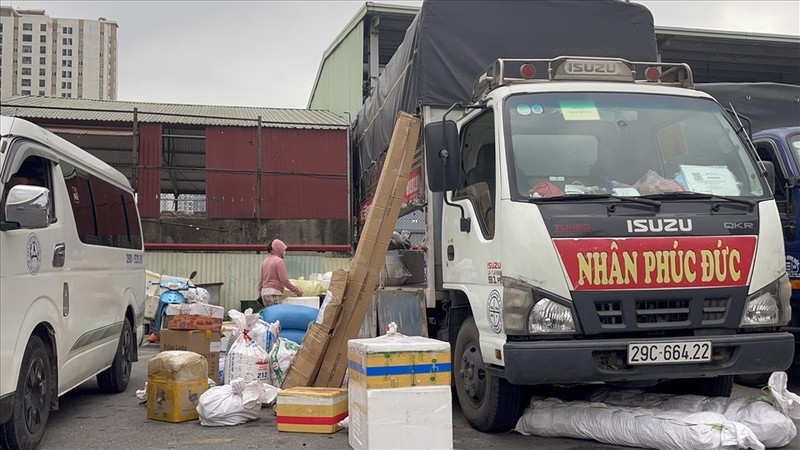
(246, 359)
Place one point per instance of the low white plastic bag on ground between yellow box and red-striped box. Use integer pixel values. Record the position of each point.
(234, 403)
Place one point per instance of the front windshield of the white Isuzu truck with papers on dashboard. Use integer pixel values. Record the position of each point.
(624, 144)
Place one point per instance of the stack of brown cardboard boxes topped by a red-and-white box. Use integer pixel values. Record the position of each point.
(195, 327)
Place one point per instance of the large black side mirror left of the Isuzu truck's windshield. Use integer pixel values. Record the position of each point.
(442, 156)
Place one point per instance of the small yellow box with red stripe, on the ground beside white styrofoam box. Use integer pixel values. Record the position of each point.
(311, 410)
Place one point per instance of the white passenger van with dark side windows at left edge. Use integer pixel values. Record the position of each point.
(72, 276)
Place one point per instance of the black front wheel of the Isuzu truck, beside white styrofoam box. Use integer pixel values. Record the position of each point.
(489, 403)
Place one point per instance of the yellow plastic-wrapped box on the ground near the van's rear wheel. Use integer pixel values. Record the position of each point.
(175, 382)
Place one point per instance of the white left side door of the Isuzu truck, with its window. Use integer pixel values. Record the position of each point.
(471, 260)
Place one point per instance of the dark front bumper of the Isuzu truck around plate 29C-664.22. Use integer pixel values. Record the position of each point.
(590, 360)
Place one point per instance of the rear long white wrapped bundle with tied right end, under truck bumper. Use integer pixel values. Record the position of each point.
(771, 426)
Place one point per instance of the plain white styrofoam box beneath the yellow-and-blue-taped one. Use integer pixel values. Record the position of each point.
(400, 418)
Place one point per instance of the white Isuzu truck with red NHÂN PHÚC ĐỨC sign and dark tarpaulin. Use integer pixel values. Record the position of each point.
(589, 218)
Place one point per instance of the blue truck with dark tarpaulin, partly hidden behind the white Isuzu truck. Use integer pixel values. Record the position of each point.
(773, 113)
